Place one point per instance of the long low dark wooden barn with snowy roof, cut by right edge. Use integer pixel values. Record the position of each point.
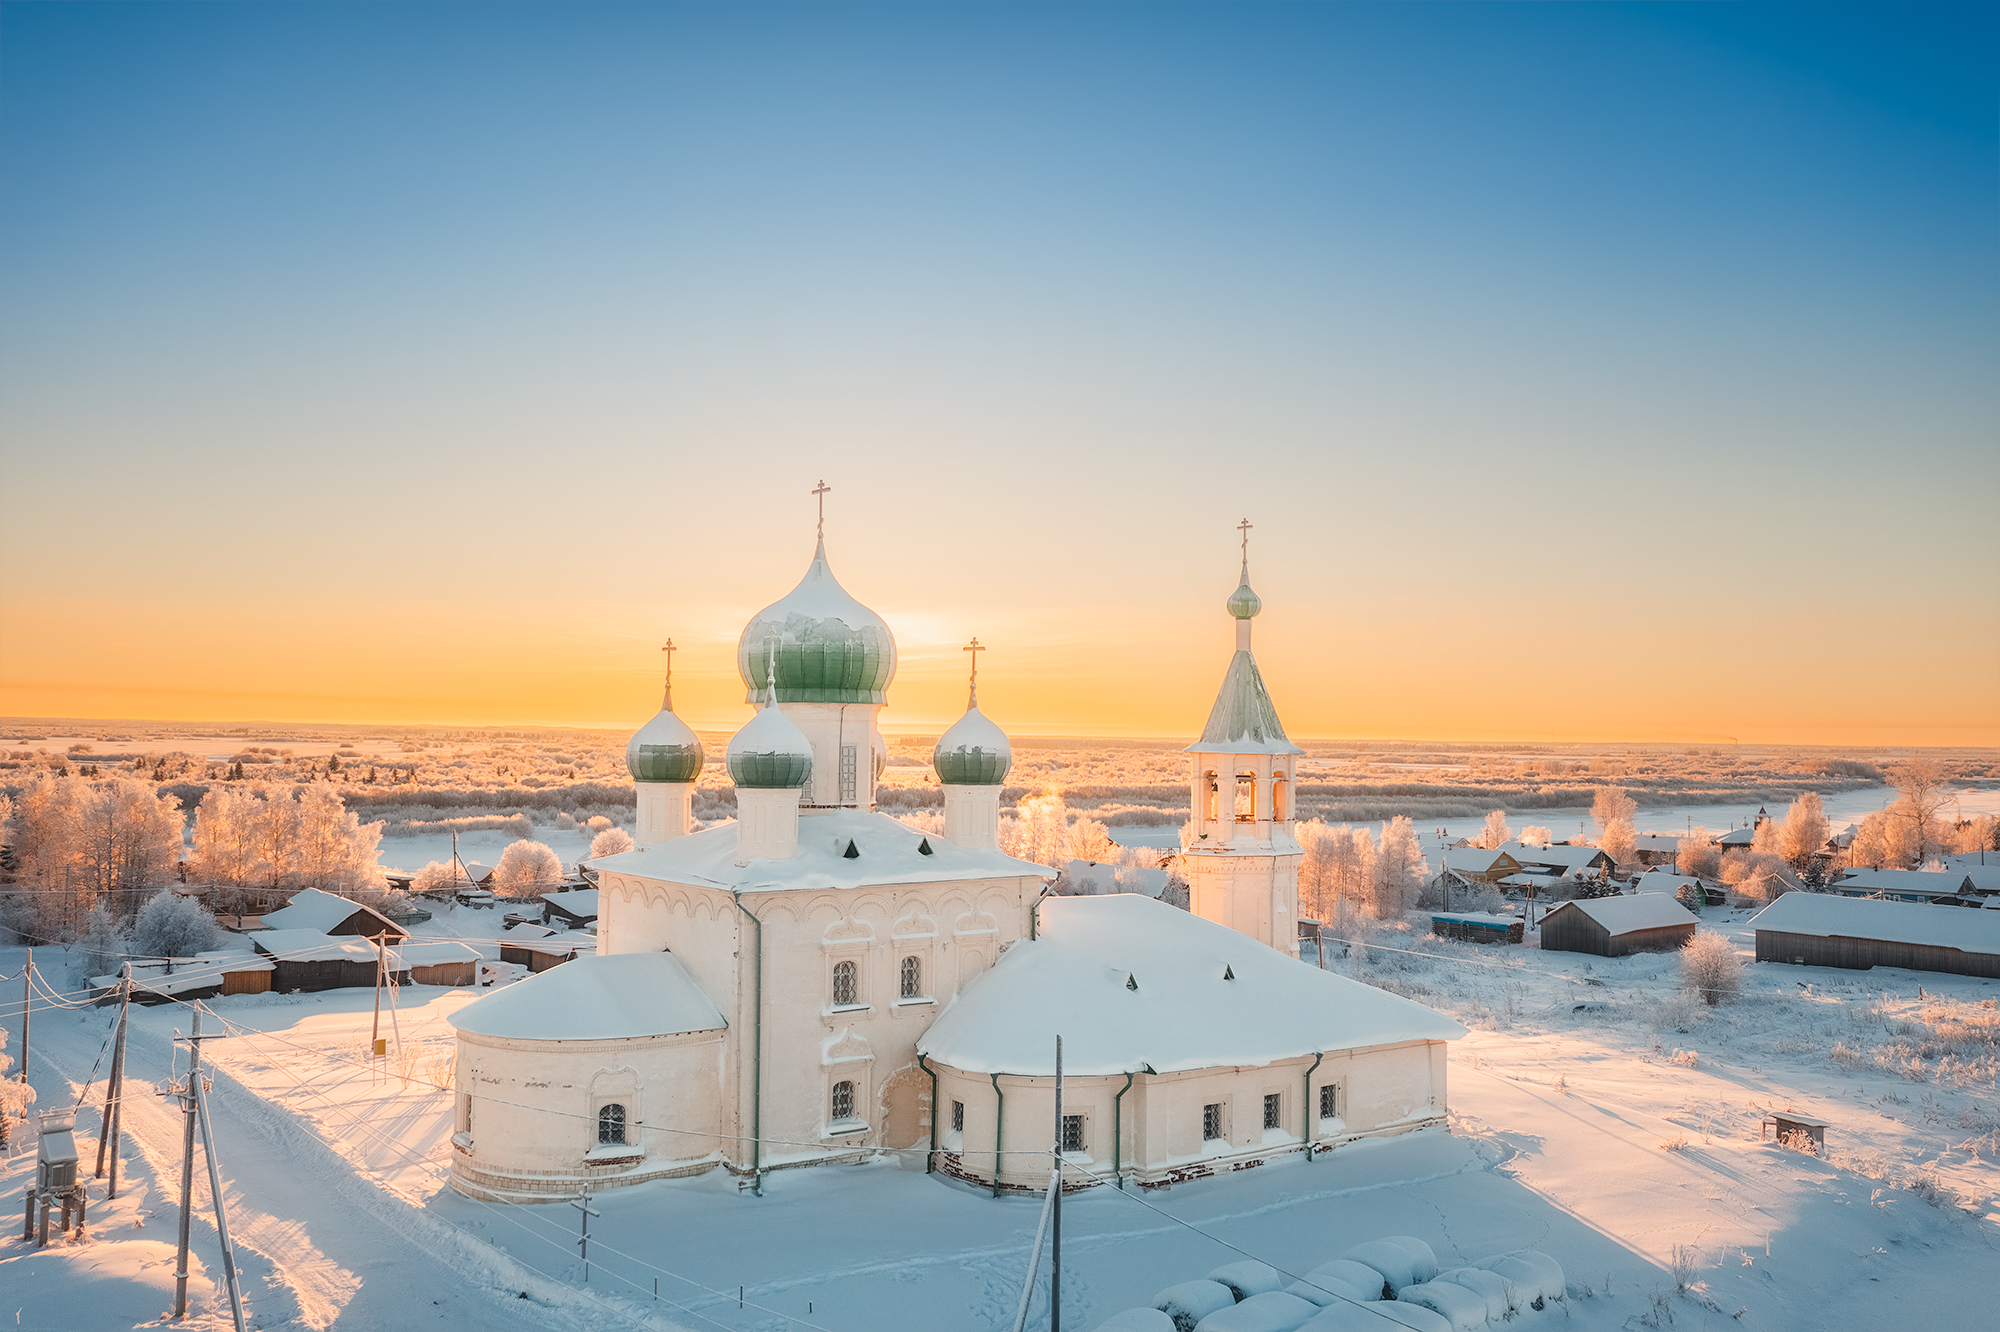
(1815, 929)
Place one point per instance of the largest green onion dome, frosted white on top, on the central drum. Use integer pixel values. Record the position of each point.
(831, 649)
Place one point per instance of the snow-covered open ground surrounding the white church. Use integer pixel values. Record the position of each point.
(1611, 1137)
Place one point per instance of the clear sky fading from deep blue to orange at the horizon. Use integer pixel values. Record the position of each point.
(417, 323)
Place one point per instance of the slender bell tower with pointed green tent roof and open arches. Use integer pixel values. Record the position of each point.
(1243, 859)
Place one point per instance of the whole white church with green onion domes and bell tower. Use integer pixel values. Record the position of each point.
(817, 983)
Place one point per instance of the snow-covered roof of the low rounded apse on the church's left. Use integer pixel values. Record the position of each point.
(619, 997)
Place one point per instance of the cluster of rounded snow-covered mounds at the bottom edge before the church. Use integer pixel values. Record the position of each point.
(1395, 1277)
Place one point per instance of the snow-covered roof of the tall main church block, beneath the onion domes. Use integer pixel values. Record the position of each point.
(885, 853)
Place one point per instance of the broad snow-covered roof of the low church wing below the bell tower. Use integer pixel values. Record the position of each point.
(1135, 985)
